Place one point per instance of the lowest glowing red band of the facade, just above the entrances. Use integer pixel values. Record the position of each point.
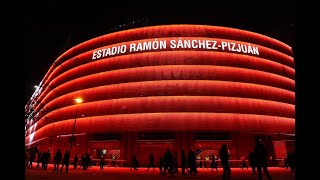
(170, 122)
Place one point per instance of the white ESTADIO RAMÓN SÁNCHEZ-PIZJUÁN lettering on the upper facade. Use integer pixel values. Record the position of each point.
(176, 44)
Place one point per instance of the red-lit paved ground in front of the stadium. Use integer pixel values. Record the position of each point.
(124, 173)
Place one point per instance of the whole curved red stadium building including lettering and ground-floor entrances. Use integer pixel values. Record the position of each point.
(167, 87)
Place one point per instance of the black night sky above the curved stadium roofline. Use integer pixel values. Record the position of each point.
(51, 26)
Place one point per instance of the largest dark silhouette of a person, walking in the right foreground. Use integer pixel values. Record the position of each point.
(260, 155)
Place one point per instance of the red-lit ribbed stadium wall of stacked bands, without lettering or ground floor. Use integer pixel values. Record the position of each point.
(169, 90)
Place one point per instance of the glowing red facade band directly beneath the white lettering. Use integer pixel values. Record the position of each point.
(171, 58)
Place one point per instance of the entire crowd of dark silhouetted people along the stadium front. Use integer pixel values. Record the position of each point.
(167, 163)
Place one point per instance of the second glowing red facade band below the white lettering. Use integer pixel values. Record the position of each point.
(184, 72)
